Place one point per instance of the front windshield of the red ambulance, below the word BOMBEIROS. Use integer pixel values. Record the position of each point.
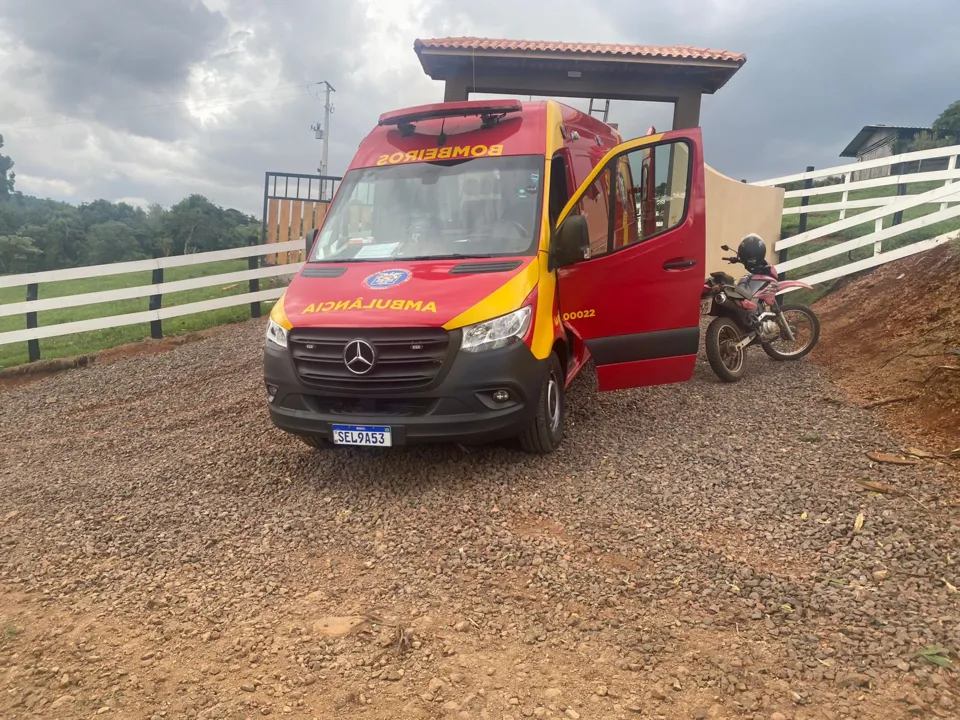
(480, 207)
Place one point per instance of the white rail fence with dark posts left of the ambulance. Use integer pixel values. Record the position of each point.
(154, 291)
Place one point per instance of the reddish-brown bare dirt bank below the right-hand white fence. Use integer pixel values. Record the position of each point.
(892, 340)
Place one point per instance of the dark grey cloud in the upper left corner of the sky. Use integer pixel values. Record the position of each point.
(110, 58)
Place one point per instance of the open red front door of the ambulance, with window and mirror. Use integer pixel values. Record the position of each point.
(636, 304)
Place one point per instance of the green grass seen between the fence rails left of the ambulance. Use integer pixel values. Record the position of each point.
(93, 341)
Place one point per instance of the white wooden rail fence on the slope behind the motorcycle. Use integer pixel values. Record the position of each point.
(945, 197)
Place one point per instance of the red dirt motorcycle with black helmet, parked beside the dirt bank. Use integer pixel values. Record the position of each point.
(747, 312)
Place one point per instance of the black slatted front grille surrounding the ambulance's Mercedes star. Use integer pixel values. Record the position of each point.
(406, 358)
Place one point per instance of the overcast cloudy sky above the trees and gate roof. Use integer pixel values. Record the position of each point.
(151, 100)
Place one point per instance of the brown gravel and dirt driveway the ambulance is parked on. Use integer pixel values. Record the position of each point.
(691, 552)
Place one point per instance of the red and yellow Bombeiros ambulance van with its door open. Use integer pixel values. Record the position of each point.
(476, 255)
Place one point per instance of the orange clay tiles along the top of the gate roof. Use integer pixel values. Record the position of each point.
(683, 52)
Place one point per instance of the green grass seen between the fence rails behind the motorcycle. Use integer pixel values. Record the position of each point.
(815, 220)
